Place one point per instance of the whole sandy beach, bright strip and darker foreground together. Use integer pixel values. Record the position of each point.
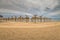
(29, 31)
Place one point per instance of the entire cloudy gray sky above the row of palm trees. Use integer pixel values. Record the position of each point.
(48, 8)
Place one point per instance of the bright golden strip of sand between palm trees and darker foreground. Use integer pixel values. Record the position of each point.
(28, 25)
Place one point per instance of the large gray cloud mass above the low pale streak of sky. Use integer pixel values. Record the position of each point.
(40, 7)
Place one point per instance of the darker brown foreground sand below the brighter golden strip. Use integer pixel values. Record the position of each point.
(47, 33)
